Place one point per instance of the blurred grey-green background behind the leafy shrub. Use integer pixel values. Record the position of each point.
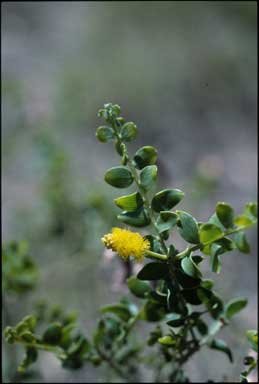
(185, 73)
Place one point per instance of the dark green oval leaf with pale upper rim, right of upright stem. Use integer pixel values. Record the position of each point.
(166, 199)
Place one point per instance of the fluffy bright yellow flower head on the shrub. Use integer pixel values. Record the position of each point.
(126, 243)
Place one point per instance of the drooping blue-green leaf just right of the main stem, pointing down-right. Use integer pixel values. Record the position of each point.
(188, 227)
